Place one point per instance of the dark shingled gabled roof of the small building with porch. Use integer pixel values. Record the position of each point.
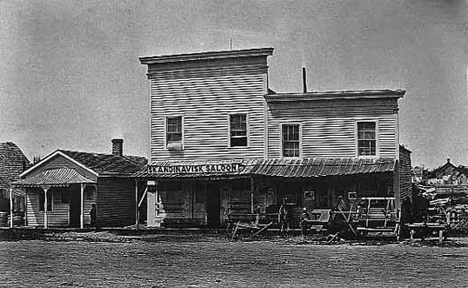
(97, 163)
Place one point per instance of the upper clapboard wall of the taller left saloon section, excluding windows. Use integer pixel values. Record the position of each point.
(205, 104)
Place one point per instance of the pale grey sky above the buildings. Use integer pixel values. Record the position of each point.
(70, 77)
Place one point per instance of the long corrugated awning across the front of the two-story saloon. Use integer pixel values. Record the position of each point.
(286, 168)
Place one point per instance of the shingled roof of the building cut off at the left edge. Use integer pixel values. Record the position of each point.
(12, 163)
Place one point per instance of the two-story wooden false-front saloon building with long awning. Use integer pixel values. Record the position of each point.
(222, 141)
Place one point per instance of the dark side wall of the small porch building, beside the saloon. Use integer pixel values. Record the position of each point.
(115, 202)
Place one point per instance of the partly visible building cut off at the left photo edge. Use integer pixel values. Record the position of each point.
(12, 163)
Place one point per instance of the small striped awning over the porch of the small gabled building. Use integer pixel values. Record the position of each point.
(54, 177)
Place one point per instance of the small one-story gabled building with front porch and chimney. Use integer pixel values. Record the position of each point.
(61, 188)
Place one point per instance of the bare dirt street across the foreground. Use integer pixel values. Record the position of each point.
(179, 261)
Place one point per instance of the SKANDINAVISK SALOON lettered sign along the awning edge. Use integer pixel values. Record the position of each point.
(196, 168)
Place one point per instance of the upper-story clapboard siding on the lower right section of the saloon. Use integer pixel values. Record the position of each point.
(329, 127)
